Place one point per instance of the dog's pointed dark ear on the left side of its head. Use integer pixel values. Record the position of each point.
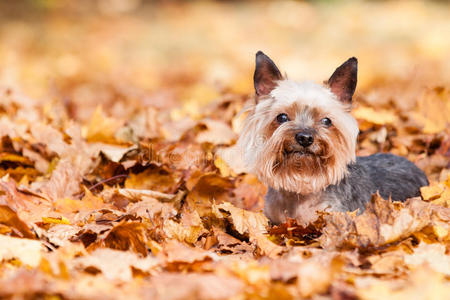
(266, 74)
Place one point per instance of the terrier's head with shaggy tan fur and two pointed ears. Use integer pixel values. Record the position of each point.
(300, 136)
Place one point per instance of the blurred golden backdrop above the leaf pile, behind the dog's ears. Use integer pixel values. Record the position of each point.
(163, 53)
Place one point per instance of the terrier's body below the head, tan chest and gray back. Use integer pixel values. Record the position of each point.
(391, 176)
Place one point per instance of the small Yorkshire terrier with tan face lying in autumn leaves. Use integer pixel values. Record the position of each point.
(300, 139)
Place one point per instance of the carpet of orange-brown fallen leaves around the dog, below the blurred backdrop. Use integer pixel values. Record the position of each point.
(158, 207)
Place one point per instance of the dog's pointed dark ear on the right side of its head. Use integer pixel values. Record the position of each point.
(343, 81)
